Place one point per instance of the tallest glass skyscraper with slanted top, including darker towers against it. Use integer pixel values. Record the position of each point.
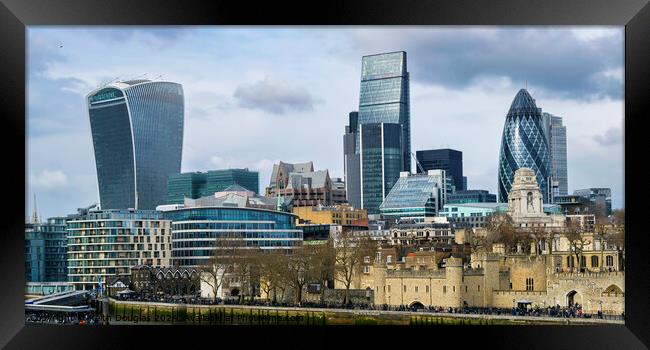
(379, 134)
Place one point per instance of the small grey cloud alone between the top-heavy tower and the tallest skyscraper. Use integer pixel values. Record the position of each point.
(274, 96)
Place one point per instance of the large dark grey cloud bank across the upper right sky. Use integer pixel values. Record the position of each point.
(553, 60)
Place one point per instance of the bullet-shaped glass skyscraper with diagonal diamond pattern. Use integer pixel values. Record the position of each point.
(524, 145)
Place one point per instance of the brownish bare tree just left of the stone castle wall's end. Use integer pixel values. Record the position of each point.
(350, 253)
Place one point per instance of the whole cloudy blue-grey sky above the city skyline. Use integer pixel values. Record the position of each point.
(258, 95)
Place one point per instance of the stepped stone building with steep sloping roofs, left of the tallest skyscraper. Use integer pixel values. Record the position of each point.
(302, 186)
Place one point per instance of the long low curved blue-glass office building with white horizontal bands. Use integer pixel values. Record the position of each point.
(194, 231)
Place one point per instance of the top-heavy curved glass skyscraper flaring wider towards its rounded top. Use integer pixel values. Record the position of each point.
(137, 130)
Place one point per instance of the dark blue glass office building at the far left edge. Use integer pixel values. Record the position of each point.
(46, 258)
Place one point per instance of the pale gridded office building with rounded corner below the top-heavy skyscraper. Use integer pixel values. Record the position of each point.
(104, 243)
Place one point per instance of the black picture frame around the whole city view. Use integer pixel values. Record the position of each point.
(15, 15)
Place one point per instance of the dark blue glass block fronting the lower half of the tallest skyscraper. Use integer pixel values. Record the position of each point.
(381, 162)
